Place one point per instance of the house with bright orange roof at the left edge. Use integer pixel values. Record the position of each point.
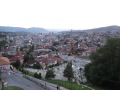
(4, 63)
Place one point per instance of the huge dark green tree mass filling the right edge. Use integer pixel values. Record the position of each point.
(104, 68)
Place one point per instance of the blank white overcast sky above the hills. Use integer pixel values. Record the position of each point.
(60, 14)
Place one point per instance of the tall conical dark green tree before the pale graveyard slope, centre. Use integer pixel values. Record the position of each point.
(68, 72)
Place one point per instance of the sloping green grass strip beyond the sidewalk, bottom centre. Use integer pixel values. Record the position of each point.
(69, 85)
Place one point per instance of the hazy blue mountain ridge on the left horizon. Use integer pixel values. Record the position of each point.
(19, 29)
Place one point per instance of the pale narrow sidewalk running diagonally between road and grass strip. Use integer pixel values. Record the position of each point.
(44, 84)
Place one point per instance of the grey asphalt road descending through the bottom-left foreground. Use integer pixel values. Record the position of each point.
(14, 79)
